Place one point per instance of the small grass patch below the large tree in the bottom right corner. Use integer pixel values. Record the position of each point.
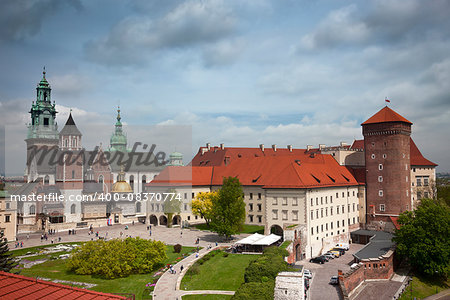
(423, 287)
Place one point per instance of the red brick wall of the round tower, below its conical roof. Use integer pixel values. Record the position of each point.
(389, 143)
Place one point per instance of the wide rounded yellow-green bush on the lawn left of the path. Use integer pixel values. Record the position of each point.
(116, 258)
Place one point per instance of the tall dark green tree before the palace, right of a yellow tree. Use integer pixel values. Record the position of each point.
(228, 211)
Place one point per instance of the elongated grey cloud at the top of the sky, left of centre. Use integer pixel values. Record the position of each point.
(136, 38)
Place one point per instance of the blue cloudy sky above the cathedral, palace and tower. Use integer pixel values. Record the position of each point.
(240, 72)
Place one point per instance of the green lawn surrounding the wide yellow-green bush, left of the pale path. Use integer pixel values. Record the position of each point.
(133, 284)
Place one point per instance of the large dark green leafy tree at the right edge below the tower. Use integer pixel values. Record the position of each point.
(423, 237)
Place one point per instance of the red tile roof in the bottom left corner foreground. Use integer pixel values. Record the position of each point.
(16, 286)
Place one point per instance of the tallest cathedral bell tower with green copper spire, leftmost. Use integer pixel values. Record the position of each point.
(42, 133)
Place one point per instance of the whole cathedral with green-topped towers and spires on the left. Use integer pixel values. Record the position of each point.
(68, 186)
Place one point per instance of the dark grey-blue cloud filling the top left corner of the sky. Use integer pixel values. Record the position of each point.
(20, 19)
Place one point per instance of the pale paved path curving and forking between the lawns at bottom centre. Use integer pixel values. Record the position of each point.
(168, 285)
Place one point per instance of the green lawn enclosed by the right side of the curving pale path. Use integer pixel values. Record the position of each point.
(219, 273)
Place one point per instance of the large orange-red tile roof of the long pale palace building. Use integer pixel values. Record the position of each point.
(253, 167)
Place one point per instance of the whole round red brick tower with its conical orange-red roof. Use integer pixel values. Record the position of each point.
(387, 156)
